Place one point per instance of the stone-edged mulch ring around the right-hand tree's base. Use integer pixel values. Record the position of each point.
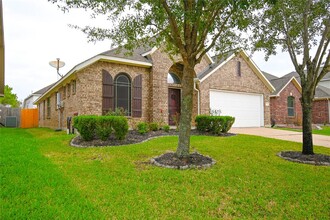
(315, 159)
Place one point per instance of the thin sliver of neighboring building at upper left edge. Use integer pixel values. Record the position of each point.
(2, 54)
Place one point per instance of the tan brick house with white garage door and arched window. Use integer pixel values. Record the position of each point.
(147, 84)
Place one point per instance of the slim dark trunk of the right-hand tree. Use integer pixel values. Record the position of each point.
(307, 124)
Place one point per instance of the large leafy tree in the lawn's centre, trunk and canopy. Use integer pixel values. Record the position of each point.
(188, 28)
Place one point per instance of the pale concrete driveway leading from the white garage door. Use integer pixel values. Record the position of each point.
(319, 140)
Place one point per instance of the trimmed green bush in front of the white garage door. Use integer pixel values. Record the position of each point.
(214, 124)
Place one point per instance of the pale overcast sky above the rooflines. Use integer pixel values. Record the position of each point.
(37, 32)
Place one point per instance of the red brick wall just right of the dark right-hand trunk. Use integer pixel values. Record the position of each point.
(320, 111)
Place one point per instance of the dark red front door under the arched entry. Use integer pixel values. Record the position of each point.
(174, 105)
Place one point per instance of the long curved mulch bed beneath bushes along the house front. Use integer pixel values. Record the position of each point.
(133, 137)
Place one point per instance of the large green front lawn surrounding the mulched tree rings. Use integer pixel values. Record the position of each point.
(42, 177)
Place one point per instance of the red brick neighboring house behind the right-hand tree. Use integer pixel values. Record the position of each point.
(285, 100)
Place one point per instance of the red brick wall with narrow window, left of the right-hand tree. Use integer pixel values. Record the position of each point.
(278, 106)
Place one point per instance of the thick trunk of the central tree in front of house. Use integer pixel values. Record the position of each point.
(186, 112)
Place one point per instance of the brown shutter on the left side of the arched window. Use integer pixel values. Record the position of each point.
(107, 92)
